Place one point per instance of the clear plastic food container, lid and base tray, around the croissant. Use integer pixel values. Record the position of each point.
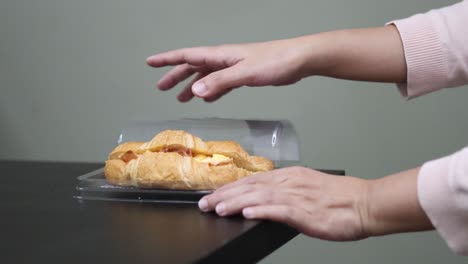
(274, 139)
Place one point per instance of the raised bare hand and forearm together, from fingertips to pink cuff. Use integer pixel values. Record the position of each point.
(347, 54)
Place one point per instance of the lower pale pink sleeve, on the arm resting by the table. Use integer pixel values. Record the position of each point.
(443, 195)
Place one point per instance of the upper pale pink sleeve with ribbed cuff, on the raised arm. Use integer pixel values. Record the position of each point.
(436, 50)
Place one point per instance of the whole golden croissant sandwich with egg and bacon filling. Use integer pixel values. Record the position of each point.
(175, 159)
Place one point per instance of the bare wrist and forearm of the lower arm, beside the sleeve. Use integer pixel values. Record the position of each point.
(393, 205)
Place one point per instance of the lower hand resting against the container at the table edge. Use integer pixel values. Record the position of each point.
(317, 204)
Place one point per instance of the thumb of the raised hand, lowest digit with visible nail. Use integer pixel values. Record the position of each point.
(219, 82)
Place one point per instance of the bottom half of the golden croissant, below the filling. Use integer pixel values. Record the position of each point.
(172, 171)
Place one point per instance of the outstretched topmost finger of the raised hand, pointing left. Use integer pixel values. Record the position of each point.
(193, 56)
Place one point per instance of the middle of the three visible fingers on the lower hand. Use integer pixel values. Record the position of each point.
(237, 203)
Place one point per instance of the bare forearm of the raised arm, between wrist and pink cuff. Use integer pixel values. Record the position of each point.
(374, 54)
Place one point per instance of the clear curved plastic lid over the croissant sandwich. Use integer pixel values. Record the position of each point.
(274, 139)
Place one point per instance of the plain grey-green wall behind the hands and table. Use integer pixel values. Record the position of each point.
(73, 73)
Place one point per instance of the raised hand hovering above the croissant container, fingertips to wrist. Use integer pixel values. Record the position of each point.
(220, 69)
